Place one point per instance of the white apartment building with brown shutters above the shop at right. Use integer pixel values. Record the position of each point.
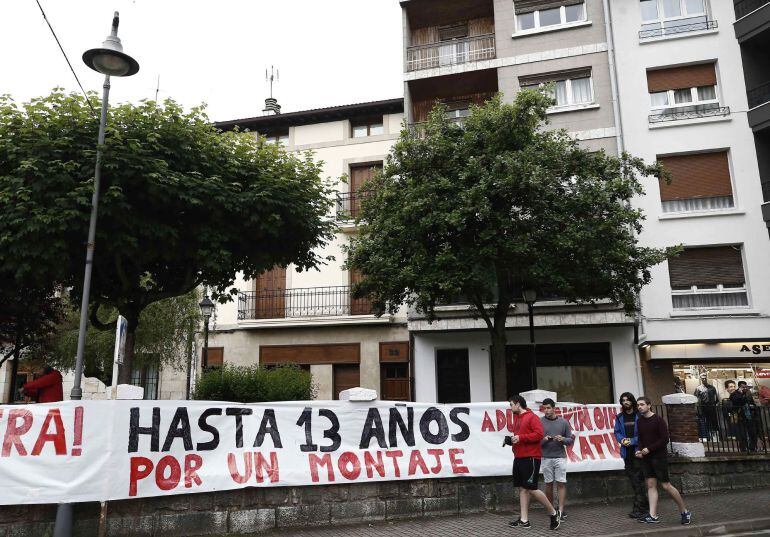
(683, 100)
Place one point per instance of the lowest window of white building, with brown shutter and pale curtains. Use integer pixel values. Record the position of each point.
(710, 277)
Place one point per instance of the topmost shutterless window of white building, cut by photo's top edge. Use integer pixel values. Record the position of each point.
(662, 17)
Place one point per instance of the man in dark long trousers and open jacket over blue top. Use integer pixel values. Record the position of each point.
(626, 434)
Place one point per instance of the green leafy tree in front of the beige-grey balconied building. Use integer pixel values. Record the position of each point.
(496, 206)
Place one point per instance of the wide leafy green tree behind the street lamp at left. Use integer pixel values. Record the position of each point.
(182, 204)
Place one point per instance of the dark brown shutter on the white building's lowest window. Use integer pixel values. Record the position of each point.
(707, 266)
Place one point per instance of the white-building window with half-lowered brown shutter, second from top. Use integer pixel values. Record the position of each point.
(684, 92)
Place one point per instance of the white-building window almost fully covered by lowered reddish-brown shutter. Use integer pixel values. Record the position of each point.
(699, 182)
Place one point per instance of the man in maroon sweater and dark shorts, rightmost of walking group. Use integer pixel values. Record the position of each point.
(651, 449)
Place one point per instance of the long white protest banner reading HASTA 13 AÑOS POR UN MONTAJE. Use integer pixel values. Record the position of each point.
(78, 451)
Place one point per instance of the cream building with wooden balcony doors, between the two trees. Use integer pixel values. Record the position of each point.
(309, 318)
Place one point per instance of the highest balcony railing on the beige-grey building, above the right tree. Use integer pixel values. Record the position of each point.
(457, 51)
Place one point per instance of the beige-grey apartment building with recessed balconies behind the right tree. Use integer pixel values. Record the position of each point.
(460, 53)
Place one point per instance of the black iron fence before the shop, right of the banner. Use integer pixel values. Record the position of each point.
(725, 430)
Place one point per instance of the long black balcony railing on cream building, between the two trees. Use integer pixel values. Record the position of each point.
(334, 301)
